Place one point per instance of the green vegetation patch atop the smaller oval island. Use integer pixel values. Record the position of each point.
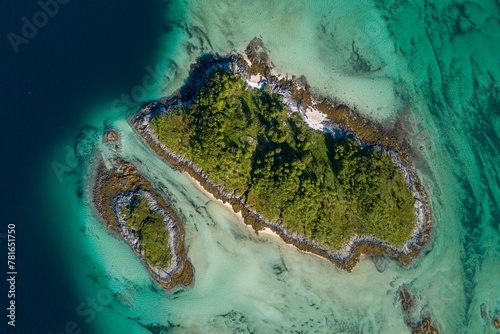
(150, 229)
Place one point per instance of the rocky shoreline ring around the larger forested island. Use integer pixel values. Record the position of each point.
(296, 96)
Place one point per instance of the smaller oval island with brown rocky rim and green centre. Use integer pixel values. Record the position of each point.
(133, 210)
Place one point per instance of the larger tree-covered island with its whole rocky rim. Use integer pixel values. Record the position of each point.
(322, 177)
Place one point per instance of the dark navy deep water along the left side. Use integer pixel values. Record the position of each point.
(88, 52)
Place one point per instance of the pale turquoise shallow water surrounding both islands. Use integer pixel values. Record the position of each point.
(433, 69)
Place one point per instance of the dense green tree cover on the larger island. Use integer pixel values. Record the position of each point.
(327, 190)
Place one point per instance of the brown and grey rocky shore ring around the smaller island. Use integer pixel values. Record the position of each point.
(113, 189)
